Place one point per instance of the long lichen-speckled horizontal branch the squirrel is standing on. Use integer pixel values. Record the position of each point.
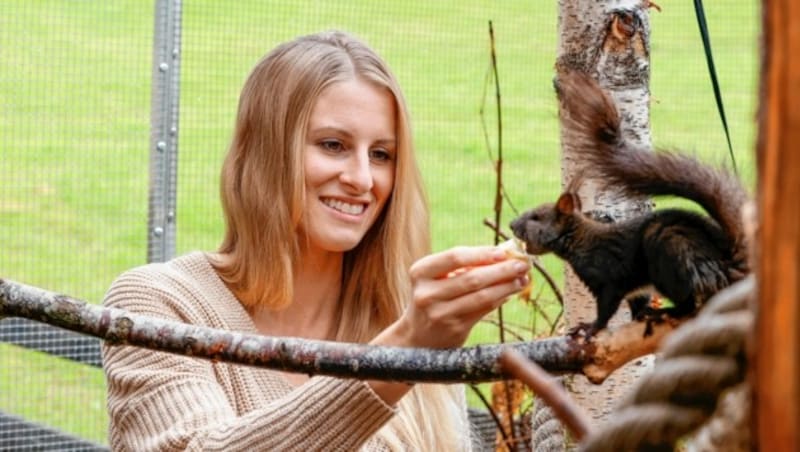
(313, 357)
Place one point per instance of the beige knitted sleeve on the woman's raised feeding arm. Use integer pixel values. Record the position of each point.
(161, 401)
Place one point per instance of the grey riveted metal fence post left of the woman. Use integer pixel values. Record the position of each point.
(164, 131)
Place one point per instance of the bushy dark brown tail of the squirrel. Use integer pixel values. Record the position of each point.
(591, 121)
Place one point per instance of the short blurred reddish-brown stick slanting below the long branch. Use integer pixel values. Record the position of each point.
(552, 393)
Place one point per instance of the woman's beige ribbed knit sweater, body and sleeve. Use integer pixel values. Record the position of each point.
(162, 401)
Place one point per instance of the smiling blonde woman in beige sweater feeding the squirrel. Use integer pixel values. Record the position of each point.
(326, 238)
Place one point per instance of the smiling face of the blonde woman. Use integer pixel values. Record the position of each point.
(349, 164)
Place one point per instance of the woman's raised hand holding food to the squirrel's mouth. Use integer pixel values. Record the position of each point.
(452, 290)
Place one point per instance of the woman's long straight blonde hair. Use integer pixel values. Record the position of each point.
(262, 191)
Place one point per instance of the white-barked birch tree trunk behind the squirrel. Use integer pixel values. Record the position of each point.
(609, 40)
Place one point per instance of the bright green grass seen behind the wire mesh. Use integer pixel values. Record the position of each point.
(74, 132)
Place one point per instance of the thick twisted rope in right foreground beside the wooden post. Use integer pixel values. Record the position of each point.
(701, 365)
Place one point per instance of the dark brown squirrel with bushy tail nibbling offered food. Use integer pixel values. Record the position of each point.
(686, 256)
